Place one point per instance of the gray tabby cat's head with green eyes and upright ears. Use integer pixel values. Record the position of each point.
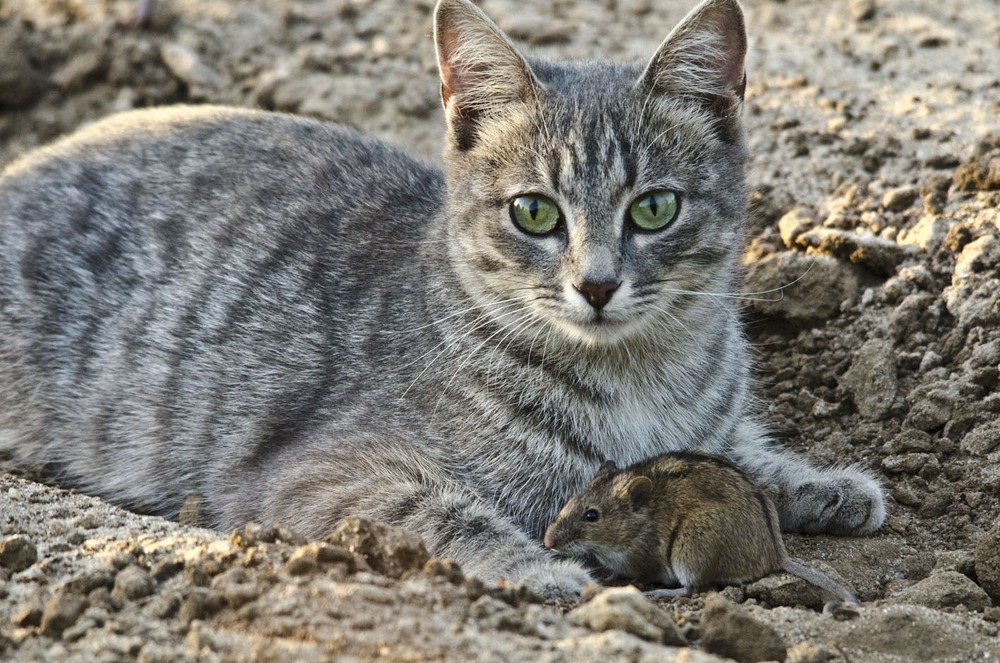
(592, 196)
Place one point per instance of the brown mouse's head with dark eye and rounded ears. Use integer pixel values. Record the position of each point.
(601, 522)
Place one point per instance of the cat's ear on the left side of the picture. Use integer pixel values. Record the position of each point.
(482, 73)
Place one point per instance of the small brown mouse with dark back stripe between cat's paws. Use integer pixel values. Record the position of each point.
(684, 518)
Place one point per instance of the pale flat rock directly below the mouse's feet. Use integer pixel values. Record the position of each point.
(626, 609)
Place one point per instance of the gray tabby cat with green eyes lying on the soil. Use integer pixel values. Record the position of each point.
(300, 323)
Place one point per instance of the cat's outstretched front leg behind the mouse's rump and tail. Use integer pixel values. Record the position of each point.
(811, 499)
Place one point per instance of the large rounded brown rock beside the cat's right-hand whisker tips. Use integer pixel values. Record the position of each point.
(801, 288)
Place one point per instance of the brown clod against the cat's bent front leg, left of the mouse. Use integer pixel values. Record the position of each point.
(388, 550)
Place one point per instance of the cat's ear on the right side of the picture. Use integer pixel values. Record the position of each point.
(702, 59)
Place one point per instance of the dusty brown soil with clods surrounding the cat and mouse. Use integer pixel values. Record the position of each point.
(872, 297)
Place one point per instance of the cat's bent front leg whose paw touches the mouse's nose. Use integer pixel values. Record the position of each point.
(396, 485)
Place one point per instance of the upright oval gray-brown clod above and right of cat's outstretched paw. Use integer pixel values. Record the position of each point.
(871, 379)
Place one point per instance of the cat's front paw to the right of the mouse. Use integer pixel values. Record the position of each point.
(841, 502)
